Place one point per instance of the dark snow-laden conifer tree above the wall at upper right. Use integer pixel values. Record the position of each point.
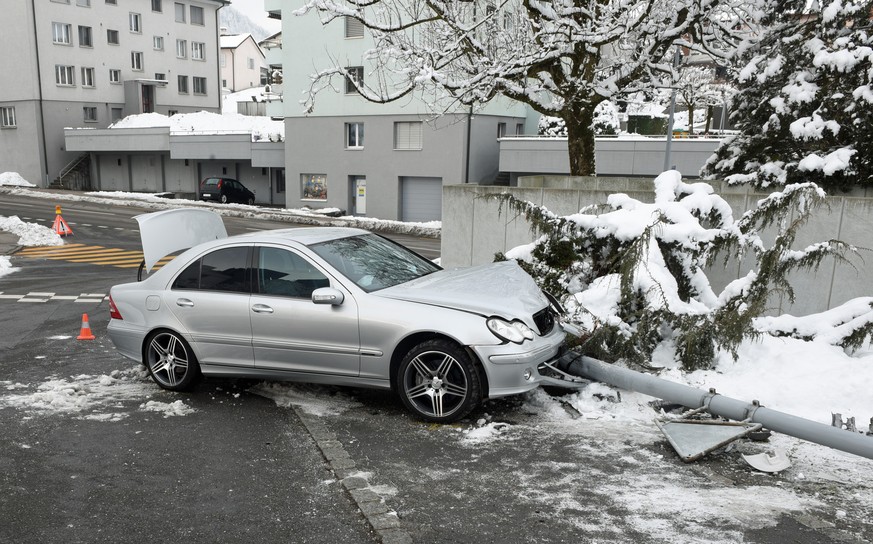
(805, 108)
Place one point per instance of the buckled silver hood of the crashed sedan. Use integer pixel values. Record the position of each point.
(502, 289)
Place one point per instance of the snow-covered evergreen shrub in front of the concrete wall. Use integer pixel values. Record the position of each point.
(633, 274)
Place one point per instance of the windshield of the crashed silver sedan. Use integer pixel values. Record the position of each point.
(373, 262)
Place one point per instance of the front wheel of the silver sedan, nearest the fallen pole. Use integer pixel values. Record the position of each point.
(438, 382)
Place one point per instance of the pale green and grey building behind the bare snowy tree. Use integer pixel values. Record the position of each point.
(382, 160)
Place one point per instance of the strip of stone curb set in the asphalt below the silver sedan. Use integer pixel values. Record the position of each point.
(374, 507)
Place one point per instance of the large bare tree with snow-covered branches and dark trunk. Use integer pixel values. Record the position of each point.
(561, 57)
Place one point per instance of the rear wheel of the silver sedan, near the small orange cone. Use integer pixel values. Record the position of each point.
(170, 361)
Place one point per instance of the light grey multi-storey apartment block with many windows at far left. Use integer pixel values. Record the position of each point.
(87, 63)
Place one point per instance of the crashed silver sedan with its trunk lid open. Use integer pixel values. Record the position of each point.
(335, 306)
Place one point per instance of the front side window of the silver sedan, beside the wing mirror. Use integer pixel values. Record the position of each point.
(285, 273)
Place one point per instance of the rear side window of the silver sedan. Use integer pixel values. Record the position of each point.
(222, 270)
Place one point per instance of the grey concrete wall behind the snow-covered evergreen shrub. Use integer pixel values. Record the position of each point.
(473, 231)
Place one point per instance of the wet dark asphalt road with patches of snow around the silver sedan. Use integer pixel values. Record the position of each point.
(92, 451)
